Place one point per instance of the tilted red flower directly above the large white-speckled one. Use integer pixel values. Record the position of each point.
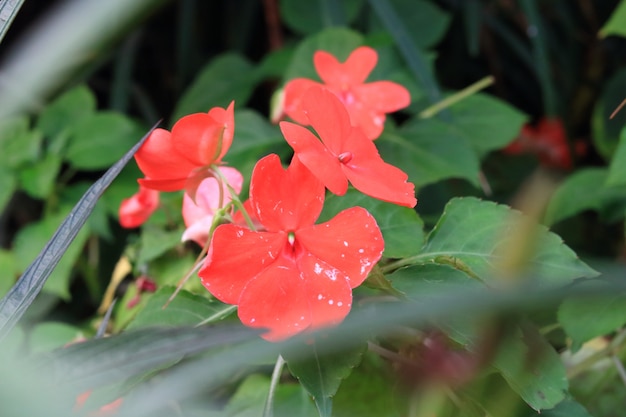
(344, 153)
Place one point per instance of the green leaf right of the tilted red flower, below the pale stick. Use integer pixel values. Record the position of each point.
(430, 151)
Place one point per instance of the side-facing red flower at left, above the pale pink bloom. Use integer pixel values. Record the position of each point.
(197, 141)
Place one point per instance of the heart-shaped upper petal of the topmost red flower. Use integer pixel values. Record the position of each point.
(354, 71)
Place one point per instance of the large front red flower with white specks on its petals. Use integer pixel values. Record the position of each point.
(295, 275)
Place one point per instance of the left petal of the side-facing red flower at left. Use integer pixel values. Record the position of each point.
(158, 160)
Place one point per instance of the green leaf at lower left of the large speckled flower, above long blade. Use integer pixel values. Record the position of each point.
(185, 309)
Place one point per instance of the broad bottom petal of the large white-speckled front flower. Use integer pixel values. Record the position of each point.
(288, 298)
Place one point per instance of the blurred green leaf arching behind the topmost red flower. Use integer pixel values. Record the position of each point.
(339, 42)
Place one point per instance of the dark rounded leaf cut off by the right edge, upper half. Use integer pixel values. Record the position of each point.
(606, 131)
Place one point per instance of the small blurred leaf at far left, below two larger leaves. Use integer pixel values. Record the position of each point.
(38, 179)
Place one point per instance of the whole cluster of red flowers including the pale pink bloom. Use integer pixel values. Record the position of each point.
(285, 273)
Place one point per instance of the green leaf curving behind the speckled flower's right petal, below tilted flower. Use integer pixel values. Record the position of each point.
(402, 228)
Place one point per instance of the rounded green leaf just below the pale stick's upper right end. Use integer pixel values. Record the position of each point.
(486, 122)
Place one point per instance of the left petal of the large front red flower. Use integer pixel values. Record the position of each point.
(237, 256)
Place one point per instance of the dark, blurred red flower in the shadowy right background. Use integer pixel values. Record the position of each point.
(548, 141)
